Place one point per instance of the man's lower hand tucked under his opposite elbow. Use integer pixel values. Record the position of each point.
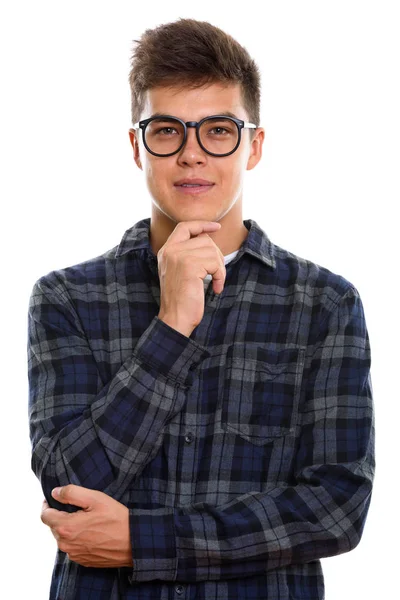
(98, 535)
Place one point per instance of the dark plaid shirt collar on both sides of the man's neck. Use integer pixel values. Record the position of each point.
(257, 242)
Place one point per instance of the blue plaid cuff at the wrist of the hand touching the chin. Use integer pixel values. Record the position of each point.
(170, 352)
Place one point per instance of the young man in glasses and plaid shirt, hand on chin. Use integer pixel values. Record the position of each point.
(206, 392)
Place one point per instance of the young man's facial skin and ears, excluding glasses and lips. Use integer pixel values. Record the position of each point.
(226, 174)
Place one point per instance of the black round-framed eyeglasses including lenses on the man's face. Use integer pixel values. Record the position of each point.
(218, 135)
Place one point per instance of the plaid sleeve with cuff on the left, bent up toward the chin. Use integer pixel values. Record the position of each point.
(87, 432)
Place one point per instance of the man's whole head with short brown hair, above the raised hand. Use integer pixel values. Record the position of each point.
(191, 70)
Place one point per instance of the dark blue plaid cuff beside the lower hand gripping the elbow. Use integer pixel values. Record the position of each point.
(153, 545)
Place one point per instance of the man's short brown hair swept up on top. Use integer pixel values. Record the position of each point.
(191, 53)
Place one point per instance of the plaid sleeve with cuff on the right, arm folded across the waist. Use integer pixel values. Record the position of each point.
(321, 514)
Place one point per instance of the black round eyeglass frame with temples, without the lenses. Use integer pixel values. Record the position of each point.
(197, 124)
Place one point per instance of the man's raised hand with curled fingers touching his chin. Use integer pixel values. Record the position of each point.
(187, 256)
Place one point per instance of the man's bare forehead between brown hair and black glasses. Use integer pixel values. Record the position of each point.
(186, 100)
